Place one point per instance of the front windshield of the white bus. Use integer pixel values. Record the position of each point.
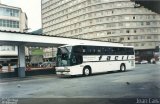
(63, 56)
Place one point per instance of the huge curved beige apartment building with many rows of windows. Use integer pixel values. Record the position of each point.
(106, 20)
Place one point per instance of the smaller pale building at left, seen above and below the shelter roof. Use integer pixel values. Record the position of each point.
(11, 19)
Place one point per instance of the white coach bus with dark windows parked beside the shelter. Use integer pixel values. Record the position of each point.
(88, 59)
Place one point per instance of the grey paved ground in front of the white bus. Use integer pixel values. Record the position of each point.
(142, 82)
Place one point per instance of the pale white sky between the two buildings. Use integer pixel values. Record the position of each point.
(32, 8)
